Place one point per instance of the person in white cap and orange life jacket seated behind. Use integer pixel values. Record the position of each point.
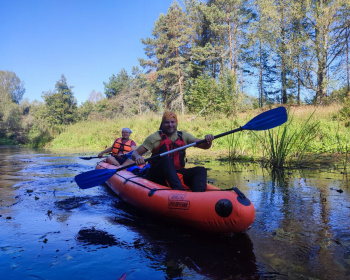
(121, 148)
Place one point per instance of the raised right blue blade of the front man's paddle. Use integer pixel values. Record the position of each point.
(267, 120)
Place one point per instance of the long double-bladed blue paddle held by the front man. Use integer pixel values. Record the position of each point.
(263, 121)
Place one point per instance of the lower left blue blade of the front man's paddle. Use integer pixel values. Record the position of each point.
(93, 178)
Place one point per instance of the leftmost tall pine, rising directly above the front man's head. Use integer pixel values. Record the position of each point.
(168, 54)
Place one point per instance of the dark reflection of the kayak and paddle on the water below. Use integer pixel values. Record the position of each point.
(178, 251)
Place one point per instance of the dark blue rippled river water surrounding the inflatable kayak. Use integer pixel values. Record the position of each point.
(51, 229)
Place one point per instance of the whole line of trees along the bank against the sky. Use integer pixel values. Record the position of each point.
(204, 57)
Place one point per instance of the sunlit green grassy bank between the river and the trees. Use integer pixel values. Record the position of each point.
(331, 136)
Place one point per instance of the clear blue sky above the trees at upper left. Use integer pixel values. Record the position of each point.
(86, 40)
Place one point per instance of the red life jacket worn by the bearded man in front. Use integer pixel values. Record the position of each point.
(167, 145)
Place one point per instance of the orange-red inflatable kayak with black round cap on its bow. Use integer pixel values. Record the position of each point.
(213, 210)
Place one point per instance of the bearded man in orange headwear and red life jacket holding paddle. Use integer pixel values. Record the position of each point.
(165, 170)
